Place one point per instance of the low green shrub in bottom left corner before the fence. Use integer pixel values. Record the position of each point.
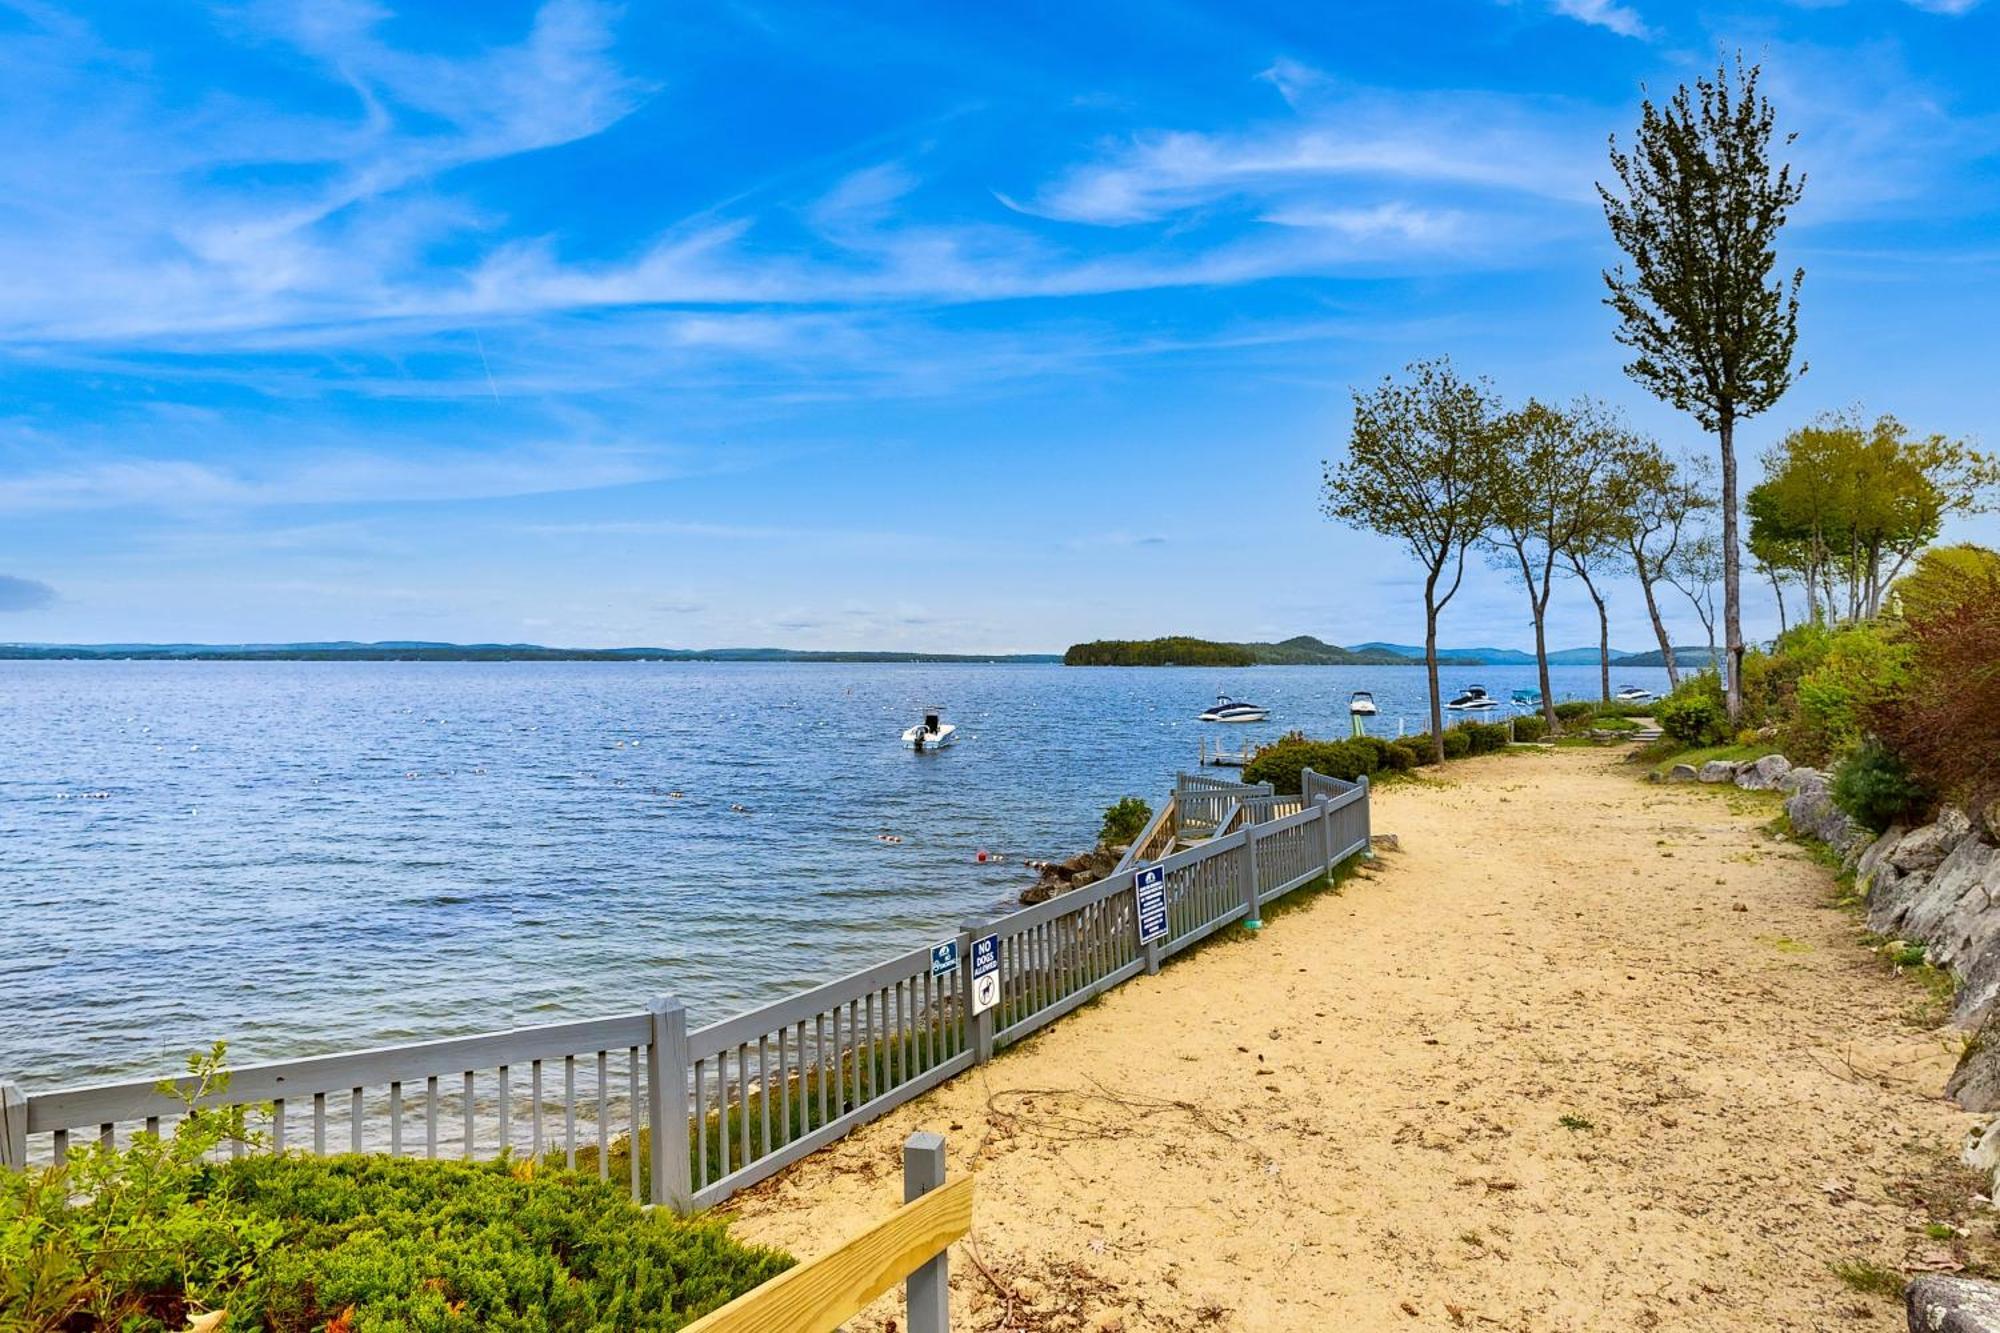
(143, 1238)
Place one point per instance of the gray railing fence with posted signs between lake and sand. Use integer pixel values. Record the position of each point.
(689, 1118)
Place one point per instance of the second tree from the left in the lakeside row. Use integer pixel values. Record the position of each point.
(1549, 469)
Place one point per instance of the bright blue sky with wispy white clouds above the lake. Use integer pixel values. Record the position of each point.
(955, 327)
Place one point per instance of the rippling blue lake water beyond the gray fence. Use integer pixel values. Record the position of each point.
(319, 856)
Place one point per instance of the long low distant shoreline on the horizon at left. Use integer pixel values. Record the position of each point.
(399, 651)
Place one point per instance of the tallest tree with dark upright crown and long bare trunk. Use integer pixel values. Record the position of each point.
(1703, 307)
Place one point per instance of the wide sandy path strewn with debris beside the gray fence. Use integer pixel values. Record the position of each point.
(1355, 1122)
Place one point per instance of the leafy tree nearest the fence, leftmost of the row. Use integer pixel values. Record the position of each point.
(1415, 471)
